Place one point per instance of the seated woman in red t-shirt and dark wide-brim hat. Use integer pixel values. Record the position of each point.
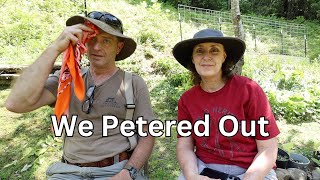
(217, 92)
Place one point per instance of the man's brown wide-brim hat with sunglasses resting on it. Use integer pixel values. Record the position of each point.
(110, 24)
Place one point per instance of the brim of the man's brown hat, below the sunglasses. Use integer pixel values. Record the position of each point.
(129, 44)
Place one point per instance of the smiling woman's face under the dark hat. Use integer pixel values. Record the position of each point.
(208, 59)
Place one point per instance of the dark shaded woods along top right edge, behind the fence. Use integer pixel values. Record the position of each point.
(309, 9)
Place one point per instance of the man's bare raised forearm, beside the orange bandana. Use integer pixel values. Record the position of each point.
(29, 86)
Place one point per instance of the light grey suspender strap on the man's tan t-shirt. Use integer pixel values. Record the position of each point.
(130, 106)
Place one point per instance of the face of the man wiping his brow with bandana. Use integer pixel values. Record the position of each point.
(103, 49)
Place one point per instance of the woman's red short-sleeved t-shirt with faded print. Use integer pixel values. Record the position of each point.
(244, 99)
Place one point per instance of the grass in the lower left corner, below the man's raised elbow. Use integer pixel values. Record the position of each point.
(27, 147)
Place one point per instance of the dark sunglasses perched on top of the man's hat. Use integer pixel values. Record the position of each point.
(107, 18)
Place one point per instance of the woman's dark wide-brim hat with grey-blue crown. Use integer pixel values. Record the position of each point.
(234, 47)
